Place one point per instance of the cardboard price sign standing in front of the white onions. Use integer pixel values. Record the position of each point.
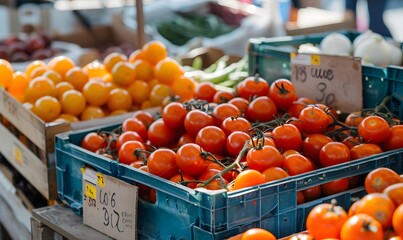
(335, 81)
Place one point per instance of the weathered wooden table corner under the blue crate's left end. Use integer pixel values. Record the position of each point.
(48, 222)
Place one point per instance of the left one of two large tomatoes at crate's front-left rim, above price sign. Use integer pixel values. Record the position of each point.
(162, 162)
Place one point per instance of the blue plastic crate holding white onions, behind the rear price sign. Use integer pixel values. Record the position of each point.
(270, 57)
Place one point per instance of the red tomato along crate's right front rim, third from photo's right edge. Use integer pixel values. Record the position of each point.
(334, 153)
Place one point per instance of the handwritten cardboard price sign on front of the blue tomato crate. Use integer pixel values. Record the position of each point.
(109, 205)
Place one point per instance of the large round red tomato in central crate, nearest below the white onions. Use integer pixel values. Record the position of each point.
(374, 129)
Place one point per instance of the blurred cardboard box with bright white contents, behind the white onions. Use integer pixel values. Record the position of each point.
(314, 20)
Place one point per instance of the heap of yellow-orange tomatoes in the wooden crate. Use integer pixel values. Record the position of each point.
(62, 91)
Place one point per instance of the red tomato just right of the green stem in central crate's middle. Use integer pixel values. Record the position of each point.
(287, 136)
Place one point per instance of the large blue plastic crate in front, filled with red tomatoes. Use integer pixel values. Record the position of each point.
(183, 213)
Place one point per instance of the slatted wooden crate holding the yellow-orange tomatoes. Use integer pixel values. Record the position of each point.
(28, 143)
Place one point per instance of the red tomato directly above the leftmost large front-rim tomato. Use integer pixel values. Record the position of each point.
(160, 135)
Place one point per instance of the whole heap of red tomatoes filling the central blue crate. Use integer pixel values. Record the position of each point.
(260, 133)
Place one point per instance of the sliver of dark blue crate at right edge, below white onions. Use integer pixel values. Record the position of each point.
(395, 78)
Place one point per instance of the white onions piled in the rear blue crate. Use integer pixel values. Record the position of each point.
(371, 47)
